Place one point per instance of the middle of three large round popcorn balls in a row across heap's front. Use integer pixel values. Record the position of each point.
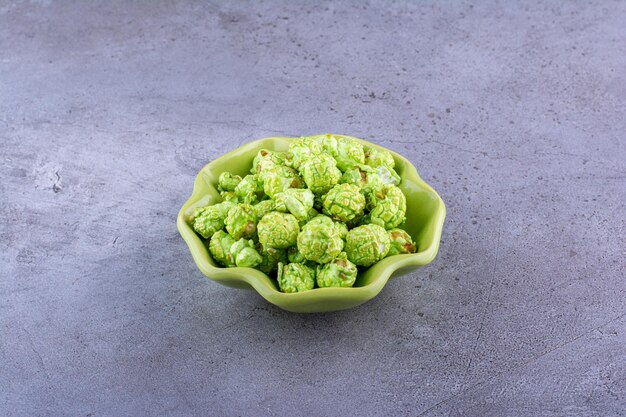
(320, 240)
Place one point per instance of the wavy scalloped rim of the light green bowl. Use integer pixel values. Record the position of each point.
(261, 282)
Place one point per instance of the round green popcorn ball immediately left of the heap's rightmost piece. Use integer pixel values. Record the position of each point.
(367, 244)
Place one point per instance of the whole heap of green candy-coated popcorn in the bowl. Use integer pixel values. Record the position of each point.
(309, 216)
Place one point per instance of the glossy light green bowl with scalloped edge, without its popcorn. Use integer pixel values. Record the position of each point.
(425, 215)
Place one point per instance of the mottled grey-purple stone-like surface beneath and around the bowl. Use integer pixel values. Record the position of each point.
(514, 114)
